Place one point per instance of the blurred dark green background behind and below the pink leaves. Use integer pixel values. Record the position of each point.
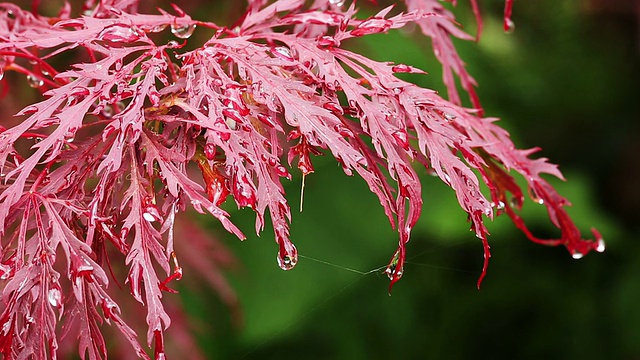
(566, 80)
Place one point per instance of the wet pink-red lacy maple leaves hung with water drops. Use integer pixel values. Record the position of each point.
(107, 160)
